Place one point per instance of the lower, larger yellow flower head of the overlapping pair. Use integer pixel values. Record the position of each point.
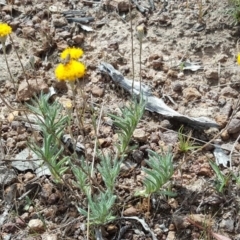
(70, 71)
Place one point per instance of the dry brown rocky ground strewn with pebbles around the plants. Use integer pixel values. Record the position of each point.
(188, 59)
